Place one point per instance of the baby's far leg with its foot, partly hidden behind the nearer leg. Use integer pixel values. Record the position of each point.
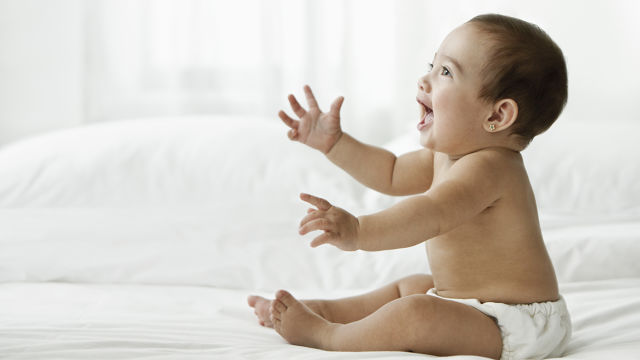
(354, 308)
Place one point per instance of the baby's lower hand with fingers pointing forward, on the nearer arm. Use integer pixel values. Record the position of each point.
(340, 228)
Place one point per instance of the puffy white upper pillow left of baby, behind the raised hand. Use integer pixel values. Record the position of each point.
(167, 162)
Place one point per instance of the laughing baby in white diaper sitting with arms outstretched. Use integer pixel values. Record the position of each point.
(494, 84)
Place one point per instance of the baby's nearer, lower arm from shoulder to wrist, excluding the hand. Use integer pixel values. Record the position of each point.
(472, 184)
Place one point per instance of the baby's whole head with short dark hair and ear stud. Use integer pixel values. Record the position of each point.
(500, 81)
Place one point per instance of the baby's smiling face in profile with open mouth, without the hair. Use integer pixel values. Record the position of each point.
(452, 113)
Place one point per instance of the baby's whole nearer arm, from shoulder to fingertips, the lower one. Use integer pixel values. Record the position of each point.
(472, 184)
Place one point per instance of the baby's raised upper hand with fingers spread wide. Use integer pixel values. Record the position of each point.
(317, 129)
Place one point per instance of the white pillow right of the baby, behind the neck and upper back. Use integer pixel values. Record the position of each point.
(586, 168)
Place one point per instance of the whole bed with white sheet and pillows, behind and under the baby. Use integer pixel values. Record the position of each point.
(143, 238)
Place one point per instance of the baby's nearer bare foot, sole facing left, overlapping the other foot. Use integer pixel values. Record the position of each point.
(295, 322)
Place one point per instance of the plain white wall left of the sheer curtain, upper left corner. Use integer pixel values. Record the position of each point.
(41, 66)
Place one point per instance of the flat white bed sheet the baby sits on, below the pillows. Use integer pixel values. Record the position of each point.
(92, 321)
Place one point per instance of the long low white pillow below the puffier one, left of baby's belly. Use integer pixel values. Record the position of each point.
(239, 245)
